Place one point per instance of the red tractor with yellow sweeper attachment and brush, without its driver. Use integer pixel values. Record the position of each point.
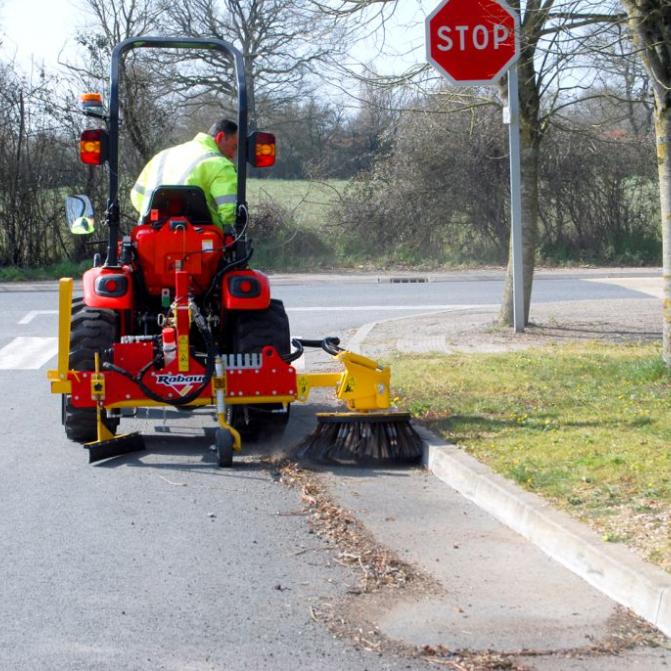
(175, 316)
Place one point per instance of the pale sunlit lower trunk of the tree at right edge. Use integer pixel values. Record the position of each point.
(663, 132)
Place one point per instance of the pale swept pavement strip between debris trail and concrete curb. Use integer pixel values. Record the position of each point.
(499, 592)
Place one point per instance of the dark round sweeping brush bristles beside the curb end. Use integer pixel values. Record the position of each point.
(360, 439)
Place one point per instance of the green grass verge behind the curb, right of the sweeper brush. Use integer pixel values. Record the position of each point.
(587, 426)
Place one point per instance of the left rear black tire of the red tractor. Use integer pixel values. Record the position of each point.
(92, 330)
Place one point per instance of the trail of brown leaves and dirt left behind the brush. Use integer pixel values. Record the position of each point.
(382, 578)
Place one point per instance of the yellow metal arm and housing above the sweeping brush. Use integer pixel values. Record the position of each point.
(363, 385)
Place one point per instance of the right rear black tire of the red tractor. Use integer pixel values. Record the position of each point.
(253, 331)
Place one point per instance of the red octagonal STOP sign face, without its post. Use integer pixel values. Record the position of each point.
(472, 41)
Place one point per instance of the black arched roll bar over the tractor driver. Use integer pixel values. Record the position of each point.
(113, 123)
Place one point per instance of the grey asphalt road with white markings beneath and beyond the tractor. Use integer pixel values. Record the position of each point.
(161, 560)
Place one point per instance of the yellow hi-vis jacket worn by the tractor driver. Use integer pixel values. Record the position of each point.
(195, 163)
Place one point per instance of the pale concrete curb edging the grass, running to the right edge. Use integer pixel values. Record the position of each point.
(612, 569)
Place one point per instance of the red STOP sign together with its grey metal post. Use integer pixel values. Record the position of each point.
(474, 43)
